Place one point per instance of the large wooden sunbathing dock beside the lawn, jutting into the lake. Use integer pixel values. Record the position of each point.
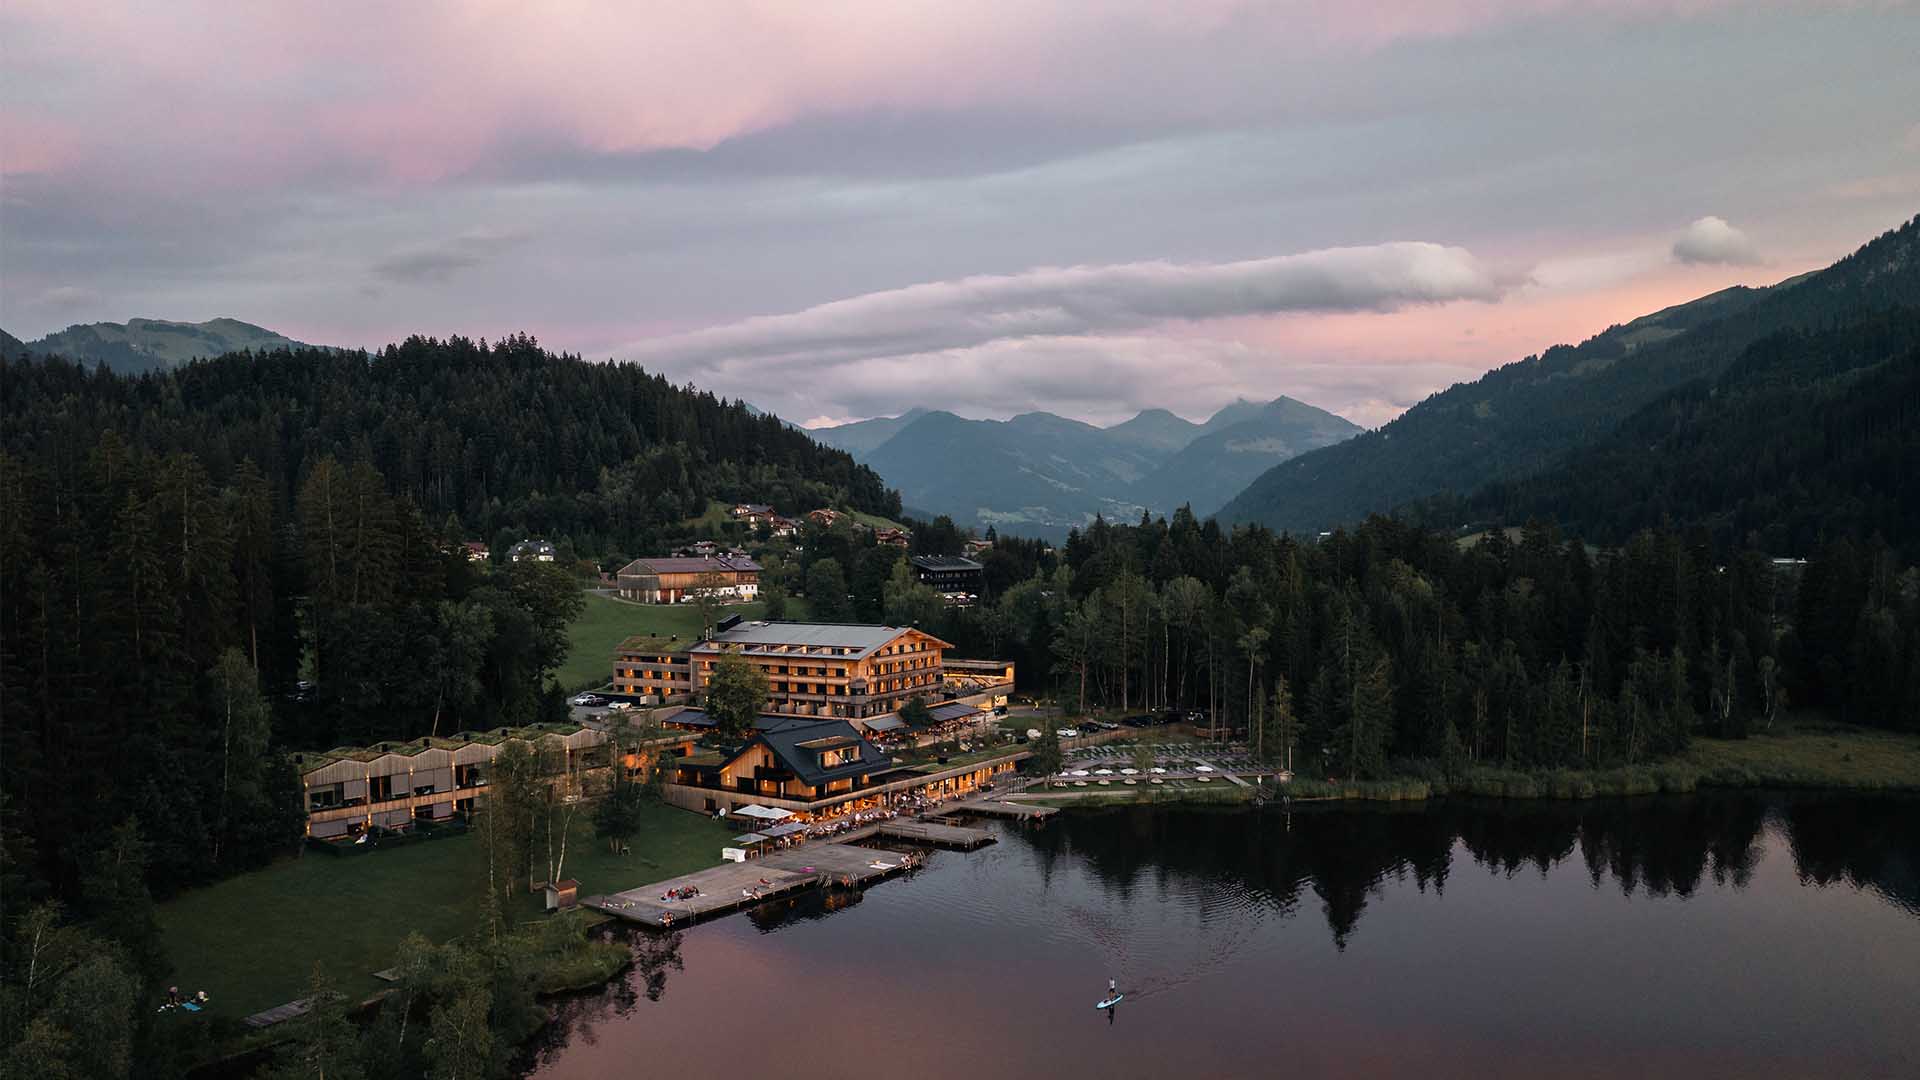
(732, 887)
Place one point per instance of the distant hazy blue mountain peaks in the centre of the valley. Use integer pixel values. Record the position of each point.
(1042, 474)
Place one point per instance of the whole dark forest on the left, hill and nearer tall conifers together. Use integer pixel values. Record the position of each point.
(180, 549)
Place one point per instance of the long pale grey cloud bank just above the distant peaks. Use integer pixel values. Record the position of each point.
(1086, 341)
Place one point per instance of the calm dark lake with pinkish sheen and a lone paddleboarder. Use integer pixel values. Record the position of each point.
(1679, 937)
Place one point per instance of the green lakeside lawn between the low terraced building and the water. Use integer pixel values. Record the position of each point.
(252, 941)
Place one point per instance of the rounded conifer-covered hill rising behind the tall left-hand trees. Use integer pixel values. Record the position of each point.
(504, 437)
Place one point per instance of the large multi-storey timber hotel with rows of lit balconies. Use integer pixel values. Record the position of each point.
(813, 670)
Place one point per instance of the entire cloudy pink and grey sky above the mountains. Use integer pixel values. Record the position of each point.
(846, 210)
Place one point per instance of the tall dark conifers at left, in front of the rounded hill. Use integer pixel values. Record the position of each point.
(166, 639)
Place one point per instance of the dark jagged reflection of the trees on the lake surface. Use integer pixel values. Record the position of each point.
(1341, 856)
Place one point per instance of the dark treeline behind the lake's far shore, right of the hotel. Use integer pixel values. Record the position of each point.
(1393, 643)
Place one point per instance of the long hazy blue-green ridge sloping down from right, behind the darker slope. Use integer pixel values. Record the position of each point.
(1527, 416)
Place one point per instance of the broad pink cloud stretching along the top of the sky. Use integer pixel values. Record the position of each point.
(423, 91)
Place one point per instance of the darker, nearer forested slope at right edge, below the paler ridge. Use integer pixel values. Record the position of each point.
(1806, 437)
